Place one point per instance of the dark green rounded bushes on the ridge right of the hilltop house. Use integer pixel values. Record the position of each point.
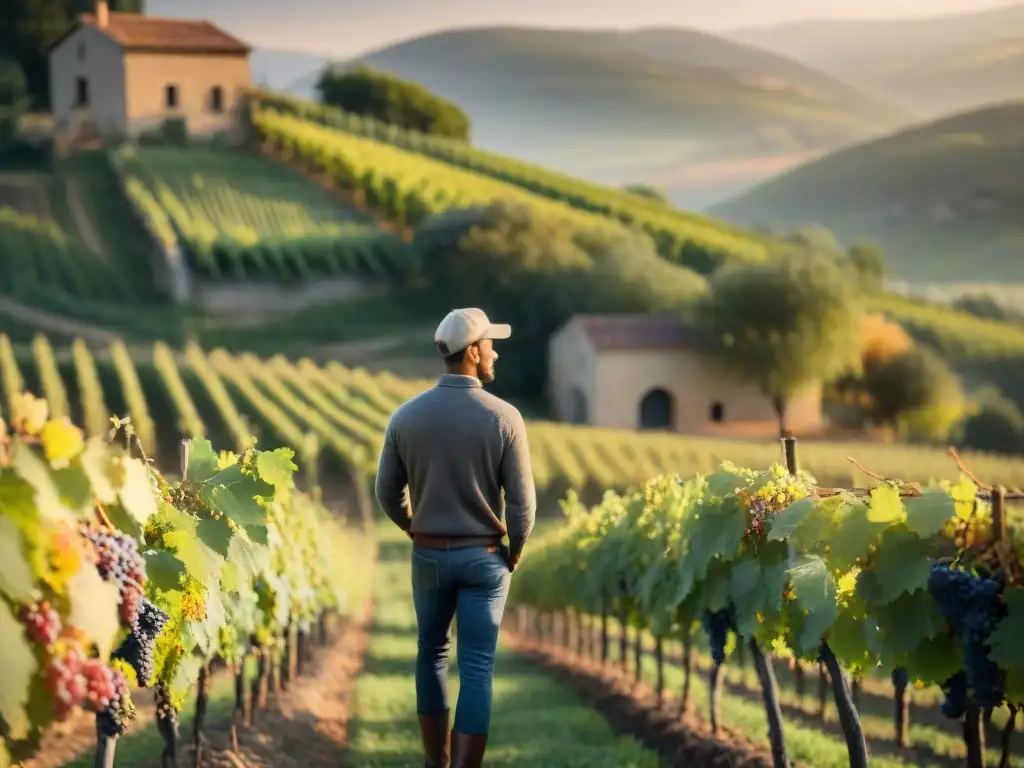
(391, 100)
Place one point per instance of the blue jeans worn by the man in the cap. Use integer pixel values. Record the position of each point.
(472, 583)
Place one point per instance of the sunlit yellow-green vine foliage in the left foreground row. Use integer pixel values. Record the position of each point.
(231, 550)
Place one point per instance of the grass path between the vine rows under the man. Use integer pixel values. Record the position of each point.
(536, 721)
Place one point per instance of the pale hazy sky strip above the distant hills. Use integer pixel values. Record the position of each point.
(350, 27)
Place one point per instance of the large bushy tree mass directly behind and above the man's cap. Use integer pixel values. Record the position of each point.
(536, 273)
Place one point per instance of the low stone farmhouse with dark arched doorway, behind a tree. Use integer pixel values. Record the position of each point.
(651, 372)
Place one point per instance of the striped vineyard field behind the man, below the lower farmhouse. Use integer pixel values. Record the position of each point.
(172, 395)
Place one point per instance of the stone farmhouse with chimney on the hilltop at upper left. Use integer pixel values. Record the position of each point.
(126, 74)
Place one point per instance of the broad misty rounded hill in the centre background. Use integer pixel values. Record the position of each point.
(645, 105)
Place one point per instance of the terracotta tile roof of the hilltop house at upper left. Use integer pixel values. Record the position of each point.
(140, 32)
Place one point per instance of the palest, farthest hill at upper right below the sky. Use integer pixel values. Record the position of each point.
(935, 65)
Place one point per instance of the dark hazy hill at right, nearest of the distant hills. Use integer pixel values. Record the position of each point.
(943, 198)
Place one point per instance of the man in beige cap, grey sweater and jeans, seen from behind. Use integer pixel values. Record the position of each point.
(458, 448)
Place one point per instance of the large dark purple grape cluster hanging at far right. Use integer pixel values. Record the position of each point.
(972, 606)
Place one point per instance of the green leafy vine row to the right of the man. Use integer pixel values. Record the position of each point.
(800, 566)
